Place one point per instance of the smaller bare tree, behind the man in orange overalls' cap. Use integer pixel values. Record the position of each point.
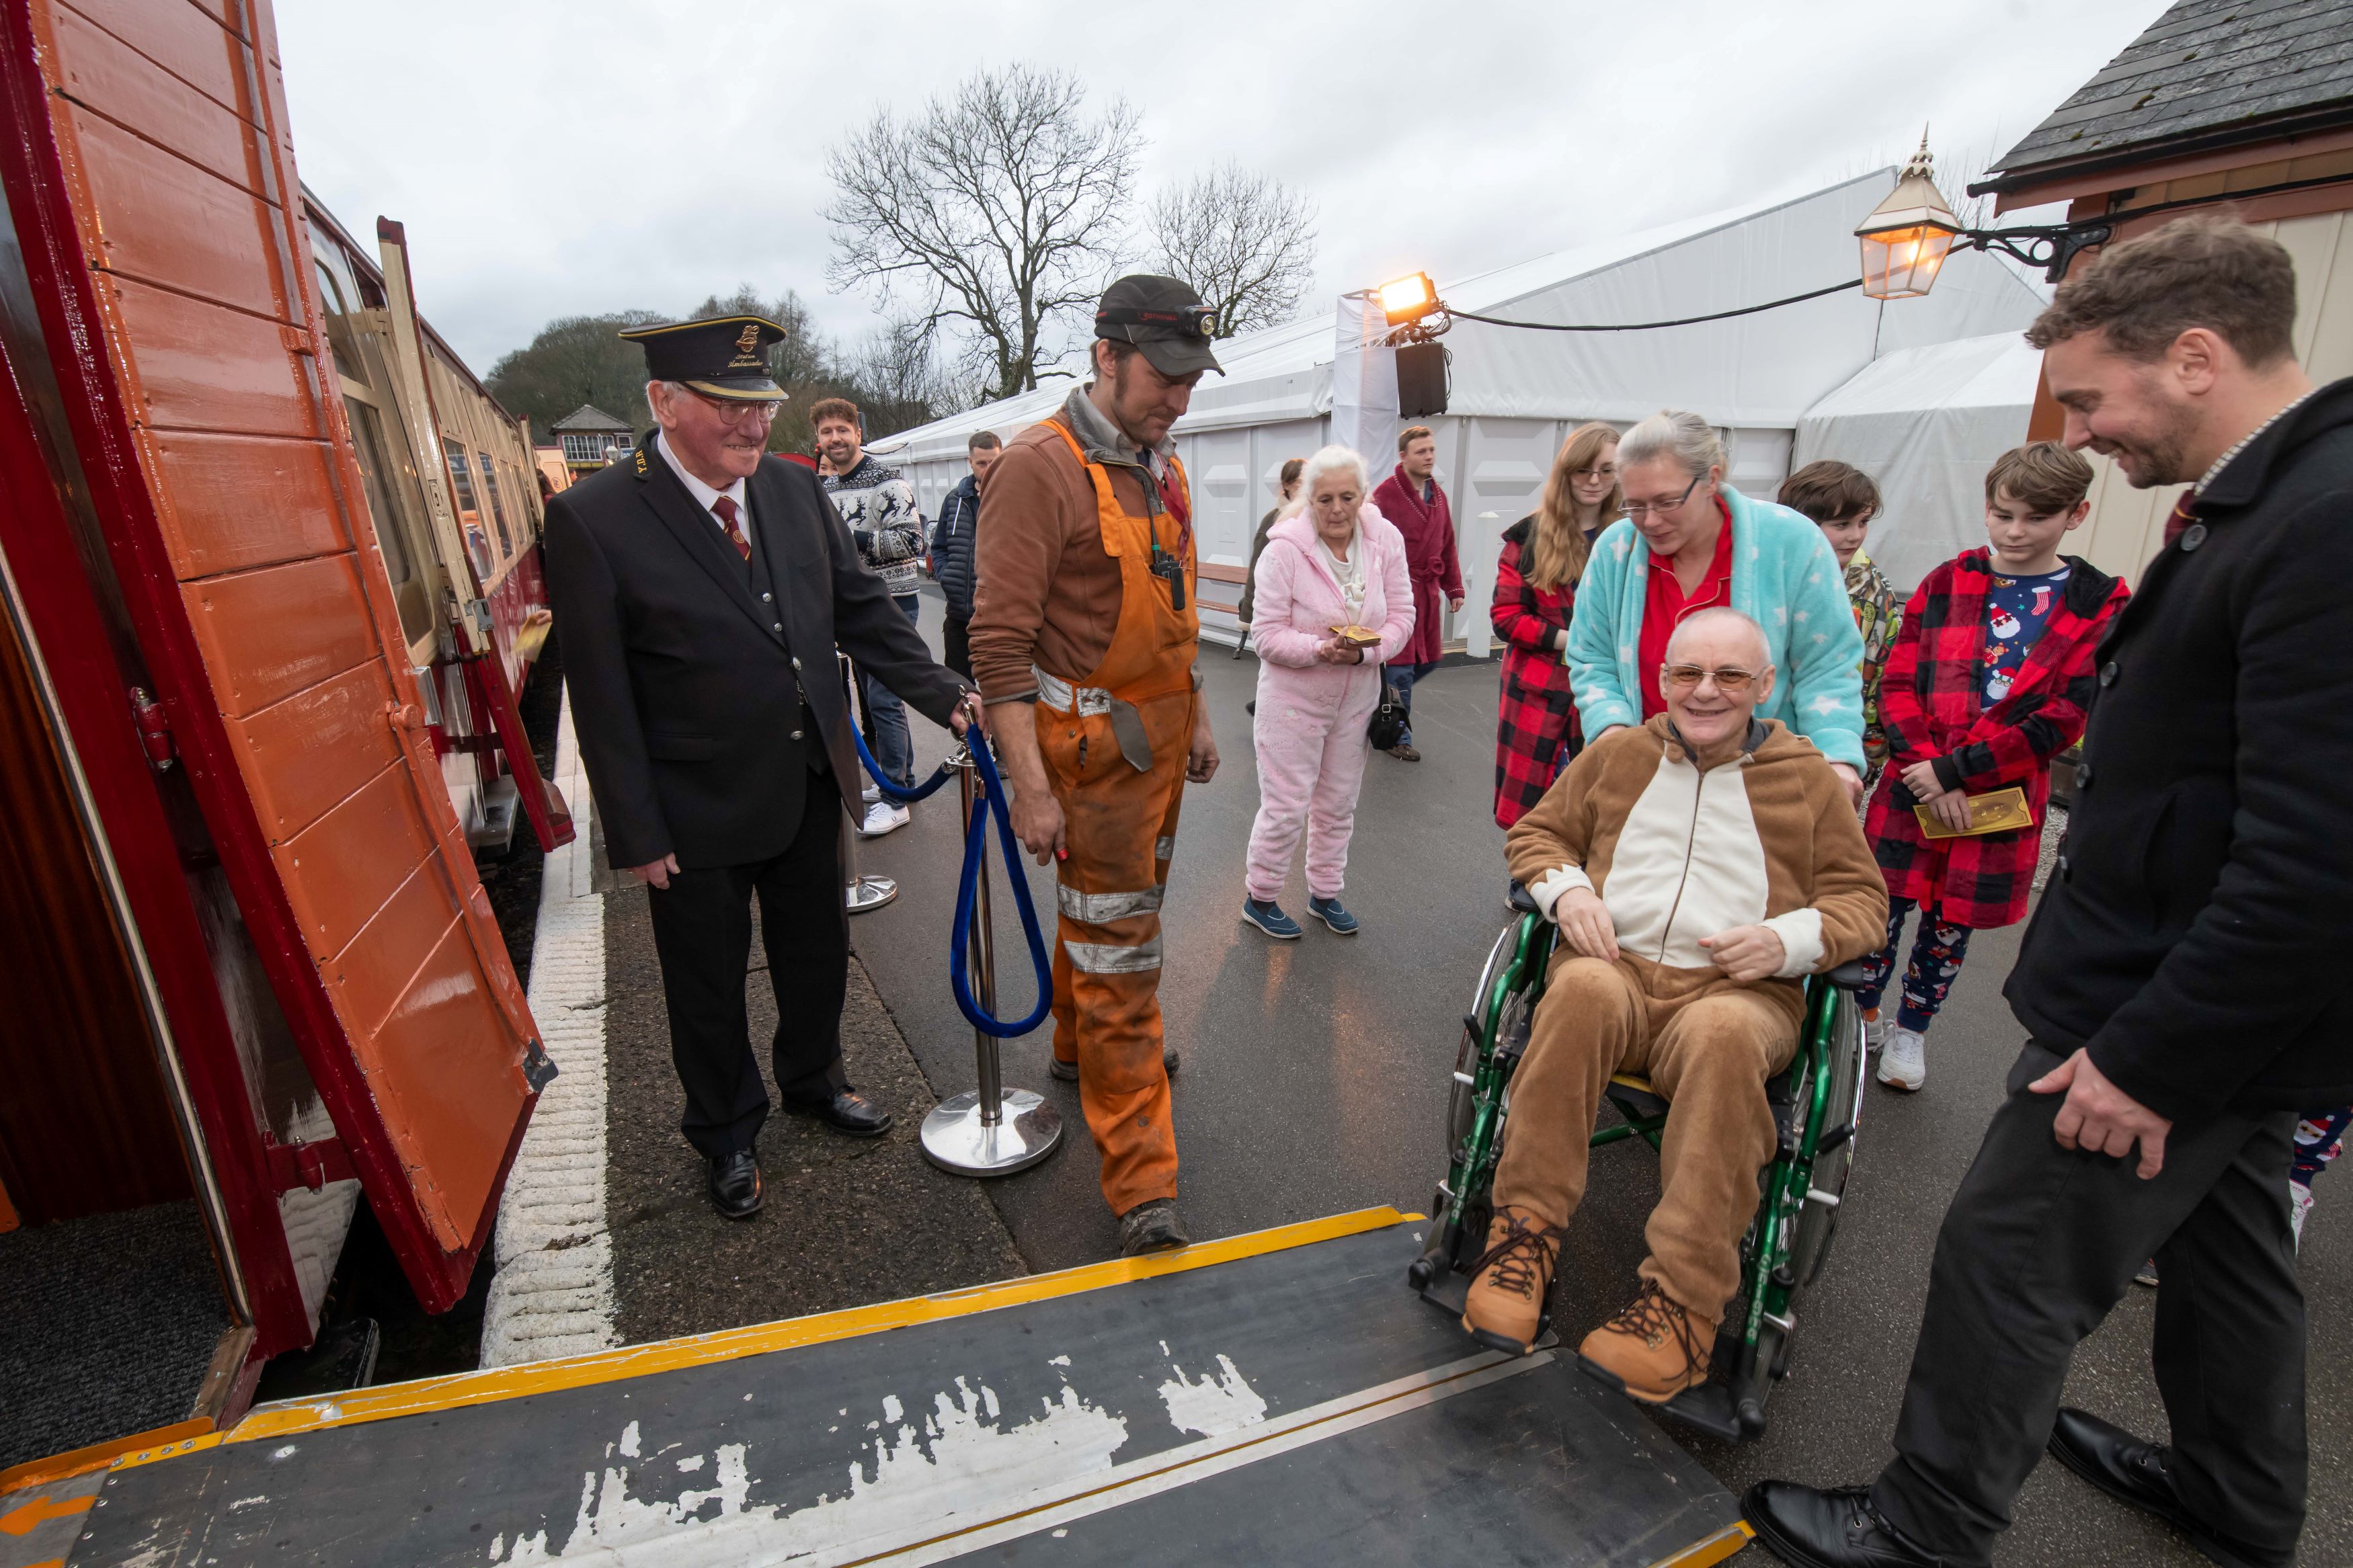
(1244, 241)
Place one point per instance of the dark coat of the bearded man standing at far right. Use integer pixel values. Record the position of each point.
(2199, 927)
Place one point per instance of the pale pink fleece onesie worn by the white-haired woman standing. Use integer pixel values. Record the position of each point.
(1312, 718)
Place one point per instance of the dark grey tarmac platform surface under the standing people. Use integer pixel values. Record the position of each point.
(1314, 1083)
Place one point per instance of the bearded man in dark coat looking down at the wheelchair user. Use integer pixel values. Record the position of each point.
(2182, 984)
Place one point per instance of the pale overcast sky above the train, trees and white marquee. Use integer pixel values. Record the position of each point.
(582, 156)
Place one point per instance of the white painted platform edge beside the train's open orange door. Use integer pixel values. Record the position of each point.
(554, 1249)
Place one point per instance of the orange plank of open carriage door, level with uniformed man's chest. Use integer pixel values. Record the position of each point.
(279, 631)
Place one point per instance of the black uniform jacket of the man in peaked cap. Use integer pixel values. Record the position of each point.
(688, 685)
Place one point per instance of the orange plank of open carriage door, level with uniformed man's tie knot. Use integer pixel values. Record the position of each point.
(213, 490)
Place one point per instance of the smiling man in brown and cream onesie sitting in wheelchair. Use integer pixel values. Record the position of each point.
(1698, 869)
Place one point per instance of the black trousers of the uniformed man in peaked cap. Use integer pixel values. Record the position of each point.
(702, 937)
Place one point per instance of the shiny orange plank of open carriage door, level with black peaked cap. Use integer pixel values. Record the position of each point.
(194, 366)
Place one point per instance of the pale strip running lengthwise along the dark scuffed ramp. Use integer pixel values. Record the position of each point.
(1234, 1452)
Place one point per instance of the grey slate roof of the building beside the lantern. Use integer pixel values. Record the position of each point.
(2206, 74)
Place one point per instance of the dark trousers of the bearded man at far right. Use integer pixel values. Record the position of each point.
(2039, 1245)
